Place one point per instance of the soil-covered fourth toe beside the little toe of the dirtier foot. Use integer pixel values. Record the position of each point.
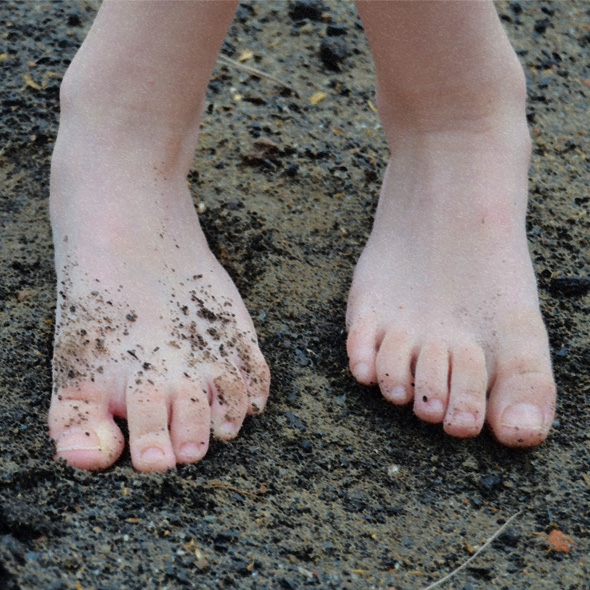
(229, 402)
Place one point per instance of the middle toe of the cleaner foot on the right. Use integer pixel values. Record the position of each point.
(431, 382)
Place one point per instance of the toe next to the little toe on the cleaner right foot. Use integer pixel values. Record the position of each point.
(394, 367)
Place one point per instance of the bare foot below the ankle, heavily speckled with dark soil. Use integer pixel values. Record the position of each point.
(149, 326)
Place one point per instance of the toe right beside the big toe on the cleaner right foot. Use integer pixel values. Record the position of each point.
(467, 399)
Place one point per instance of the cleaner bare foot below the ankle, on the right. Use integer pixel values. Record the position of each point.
(443, 309)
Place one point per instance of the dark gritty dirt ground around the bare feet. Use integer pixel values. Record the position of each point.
(331, 487)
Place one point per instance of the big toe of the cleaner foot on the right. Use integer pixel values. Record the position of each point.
(522, 408)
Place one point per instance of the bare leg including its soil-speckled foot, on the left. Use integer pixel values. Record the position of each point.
(149, 326)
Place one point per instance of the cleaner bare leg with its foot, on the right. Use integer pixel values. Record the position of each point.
(443, 305)
